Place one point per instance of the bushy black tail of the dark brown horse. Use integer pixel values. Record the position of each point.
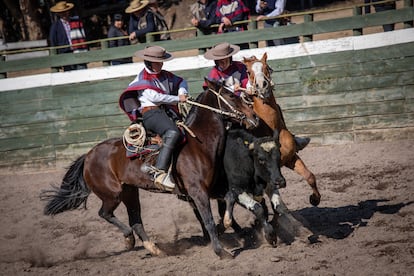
(72, 192)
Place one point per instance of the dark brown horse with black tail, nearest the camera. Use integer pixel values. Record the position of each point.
(114, 178)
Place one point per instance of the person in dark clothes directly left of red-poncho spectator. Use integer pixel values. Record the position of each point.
(204, 15)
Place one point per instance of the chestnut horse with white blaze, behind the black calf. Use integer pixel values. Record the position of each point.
(265, 106)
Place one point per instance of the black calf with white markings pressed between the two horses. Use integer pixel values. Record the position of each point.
(250, 164)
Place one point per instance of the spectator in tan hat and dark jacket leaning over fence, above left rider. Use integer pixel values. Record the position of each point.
(141, 21)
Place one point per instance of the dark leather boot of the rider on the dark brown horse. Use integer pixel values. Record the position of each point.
(163, 178)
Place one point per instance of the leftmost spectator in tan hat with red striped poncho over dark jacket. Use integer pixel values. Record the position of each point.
(68, 31)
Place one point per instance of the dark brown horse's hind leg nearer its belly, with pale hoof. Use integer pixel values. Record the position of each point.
(130, 197)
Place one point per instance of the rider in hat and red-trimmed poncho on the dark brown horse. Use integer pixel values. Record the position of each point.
(159, 92)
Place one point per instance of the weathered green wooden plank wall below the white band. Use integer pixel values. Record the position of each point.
(340, 97)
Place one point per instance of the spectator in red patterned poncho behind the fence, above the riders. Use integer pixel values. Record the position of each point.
(229, 12)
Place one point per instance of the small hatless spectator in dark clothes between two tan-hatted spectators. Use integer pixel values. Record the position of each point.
(117, 30)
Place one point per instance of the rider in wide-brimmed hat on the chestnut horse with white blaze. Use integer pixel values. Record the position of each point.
(234, 75)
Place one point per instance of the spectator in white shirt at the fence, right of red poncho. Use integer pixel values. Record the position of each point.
(271, 8)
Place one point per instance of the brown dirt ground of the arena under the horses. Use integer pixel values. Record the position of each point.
(363, 226)
